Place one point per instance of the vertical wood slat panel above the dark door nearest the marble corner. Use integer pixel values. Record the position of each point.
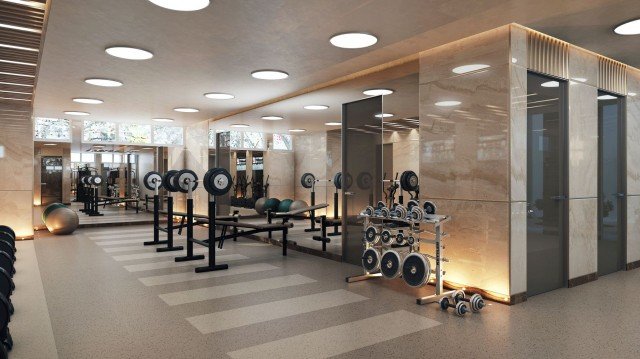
(547, 55)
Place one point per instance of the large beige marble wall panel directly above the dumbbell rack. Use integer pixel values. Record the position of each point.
(464, 149)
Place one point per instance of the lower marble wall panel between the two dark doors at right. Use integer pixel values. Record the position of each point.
(583, 237)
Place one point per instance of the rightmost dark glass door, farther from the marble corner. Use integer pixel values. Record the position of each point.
(611, 184)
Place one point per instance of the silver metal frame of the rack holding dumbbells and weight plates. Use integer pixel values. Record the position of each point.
(437, 223)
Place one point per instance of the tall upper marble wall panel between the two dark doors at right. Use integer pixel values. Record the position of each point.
(583, 141)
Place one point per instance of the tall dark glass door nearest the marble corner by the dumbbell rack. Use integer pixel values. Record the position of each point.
(546, 189)
